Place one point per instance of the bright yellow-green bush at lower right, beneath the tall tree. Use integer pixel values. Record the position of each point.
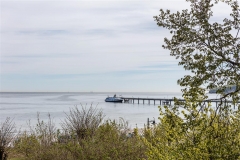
(201, 134)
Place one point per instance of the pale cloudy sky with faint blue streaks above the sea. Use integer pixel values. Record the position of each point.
(87, 46)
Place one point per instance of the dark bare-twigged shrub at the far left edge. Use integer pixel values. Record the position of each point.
(7, 129)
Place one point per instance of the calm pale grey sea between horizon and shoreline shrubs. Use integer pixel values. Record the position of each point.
(23, 107)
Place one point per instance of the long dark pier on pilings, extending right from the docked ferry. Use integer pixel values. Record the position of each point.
(164, 101)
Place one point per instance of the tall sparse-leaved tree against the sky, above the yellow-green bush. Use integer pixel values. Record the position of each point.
(210, 50)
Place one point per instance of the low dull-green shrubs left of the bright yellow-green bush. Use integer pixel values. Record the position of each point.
(108, 140)
